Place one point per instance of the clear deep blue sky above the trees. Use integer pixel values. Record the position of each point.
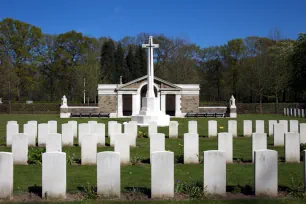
(204, 22)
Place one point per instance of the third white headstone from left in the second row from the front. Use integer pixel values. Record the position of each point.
(89, 149)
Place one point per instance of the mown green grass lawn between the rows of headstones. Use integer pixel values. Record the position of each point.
(241, 173)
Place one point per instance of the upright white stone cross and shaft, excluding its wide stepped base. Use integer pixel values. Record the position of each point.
(150, 46)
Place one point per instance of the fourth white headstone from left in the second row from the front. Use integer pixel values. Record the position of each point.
(122, 145)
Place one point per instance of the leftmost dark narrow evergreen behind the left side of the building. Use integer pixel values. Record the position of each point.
(107, 62)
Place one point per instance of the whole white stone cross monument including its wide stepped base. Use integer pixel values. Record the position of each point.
(149, 111)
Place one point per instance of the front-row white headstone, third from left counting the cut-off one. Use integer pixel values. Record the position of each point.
(108, 174)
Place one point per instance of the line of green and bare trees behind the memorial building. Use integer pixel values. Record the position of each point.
(43, 67)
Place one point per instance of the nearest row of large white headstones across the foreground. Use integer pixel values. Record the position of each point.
(162, 174)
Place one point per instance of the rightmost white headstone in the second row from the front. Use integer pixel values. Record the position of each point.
(292, 147)
